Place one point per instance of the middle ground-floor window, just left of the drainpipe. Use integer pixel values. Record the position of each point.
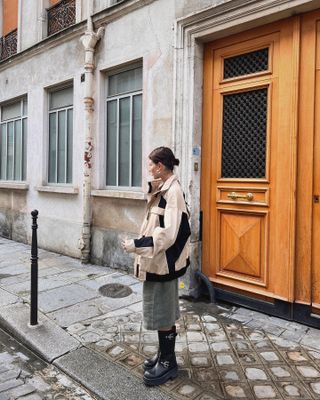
(60, 135)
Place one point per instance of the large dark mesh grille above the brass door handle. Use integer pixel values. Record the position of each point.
(244, 134)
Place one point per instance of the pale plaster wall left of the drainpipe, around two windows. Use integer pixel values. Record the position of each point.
(59, 214)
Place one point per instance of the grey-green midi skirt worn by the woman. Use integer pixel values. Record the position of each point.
(160, 304)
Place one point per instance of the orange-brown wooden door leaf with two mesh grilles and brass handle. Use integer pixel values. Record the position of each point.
(248, 161)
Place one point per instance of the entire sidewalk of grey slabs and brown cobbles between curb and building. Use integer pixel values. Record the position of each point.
(224, 352)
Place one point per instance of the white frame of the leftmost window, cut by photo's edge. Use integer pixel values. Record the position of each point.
(23, 117)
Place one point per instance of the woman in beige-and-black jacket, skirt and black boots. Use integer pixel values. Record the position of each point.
(162, 256)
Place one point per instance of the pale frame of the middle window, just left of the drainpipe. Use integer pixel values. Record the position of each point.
(56, 111)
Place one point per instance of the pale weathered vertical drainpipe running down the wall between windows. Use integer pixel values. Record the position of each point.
(89, 41)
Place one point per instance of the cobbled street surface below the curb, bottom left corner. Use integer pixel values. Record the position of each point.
(24, 376)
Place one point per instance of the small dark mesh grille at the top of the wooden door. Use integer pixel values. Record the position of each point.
(245, 64)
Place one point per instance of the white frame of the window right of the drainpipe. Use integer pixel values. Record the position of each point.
(117, 98)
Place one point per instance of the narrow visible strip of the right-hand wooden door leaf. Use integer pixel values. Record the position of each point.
(307, 282)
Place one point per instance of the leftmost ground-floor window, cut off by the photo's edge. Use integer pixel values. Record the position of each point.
(13, 141)
